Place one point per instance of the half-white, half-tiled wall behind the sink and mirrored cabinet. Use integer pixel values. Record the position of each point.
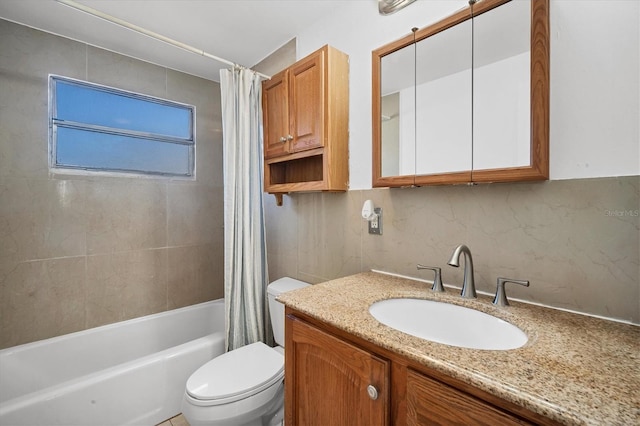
(576, 237)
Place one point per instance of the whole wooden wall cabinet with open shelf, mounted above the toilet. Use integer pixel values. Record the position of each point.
(306, 125)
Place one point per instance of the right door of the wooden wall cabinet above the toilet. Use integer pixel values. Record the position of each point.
(306, 103)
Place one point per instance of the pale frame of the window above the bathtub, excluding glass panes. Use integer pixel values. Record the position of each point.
(54, 123)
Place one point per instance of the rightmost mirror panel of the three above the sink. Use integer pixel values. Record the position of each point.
(501, 89)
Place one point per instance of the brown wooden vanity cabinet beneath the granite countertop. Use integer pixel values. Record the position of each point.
(329, 373)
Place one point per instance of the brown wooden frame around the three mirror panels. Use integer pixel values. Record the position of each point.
(539, 97)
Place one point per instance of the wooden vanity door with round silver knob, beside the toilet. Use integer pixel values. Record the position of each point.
(327, 380)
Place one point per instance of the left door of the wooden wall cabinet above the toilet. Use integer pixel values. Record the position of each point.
(276, 115)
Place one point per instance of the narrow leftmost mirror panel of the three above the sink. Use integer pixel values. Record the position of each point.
(397, 105)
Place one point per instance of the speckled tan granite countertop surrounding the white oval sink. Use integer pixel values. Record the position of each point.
(574, 369)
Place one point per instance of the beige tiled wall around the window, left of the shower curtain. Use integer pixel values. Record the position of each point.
(78, 252)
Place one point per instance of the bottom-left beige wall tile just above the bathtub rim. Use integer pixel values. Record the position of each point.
(41, 299)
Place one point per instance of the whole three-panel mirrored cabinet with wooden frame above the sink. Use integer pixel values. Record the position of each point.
(465, 100)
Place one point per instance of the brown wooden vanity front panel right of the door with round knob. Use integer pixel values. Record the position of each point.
(430, 402)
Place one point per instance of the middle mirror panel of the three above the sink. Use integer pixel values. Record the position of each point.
(443, 101)
